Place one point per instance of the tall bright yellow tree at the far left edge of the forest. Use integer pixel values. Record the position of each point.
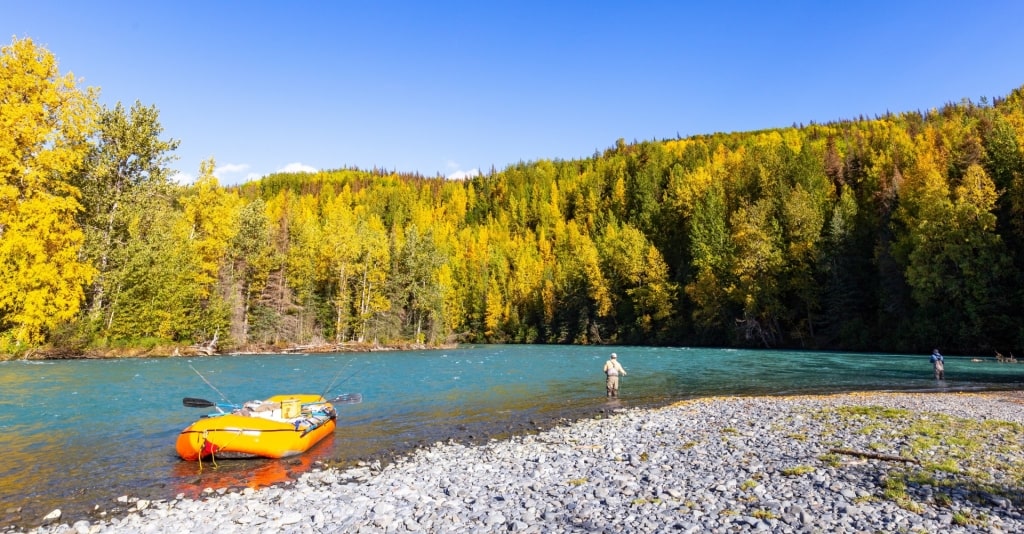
(46, 122)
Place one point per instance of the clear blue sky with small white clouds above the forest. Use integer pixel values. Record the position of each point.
(452, 88)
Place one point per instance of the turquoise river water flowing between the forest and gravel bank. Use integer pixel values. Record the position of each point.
(76, 434)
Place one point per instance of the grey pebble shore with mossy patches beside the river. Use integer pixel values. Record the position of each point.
(860, 463)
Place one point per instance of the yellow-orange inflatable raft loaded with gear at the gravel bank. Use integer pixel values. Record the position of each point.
(280, 427)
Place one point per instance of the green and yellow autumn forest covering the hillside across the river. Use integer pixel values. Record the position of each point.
(894, 233)
